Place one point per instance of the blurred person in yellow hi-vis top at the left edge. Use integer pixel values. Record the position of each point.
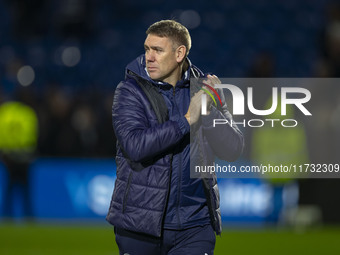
(18, 142)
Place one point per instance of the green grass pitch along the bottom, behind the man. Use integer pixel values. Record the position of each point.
(99, 240)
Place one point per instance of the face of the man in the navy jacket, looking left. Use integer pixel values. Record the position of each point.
(160, 58)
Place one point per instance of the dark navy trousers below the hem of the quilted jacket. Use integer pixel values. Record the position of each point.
(192, 241)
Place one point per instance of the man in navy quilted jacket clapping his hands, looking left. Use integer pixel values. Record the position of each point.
(156, 207)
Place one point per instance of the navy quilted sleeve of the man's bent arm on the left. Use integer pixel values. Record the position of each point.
(131, 122)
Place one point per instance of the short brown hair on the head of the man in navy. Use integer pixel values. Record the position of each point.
(178, 33)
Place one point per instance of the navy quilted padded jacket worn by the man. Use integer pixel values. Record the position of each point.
(161, 193)
